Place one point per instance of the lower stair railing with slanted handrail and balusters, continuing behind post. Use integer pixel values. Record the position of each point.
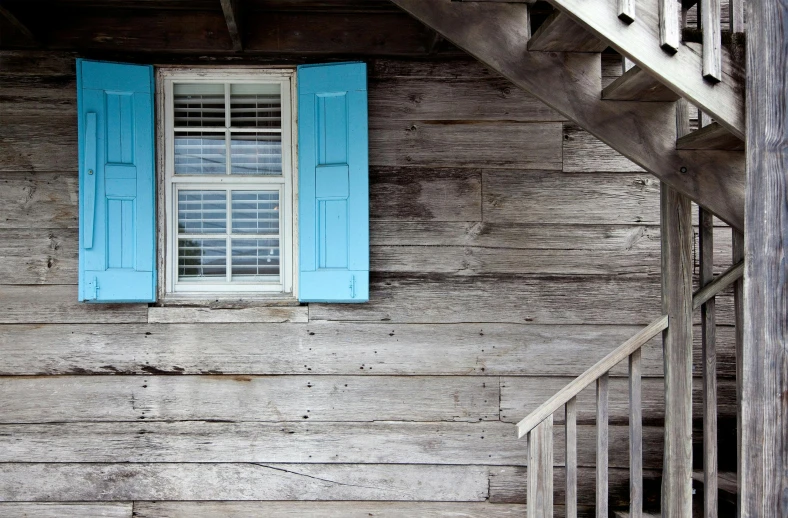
(538, 425)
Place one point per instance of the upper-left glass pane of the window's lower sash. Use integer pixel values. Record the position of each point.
(202, 212)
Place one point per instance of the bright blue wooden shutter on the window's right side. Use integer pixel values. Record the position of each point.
(333, 195)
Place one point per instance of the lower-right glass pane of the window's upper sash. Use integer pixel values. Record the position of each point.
(256, 153)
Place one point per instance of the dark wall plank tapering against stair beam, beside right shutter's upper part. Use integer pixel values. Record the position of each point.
(455, 98)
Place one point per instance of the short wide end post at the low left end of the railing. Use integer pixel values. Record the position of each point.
(540, 474)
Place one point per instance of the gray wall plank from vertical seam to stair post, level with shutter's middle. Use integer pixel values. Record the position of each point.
(552, 198)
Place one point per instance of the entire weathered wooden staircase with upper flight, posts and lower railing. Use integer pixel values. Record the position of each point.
(645, 116)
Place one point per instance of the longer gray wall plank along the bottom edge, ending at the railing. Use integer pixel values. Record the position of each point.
(327, 509)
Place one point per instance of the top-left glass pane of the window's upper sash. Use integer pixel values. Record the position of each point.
(199, 105)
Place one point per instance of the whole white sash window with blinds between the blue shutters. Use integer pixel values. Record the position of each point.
(228, 181)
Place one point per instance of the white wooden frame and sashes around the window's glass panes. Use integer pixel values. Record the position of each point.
(170, 184)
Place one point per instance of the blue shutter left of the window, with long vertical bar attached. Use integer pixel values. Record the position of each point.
(116, 183)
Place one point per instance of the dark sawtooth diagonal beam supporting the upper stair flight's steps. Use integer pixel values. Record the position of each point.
(570, 83)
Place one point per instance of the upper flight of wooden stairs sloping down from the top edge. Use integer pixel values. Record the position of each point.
(636, 115)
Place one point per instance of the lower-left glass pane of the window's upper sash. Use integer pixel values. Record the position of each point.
(200, 153)
